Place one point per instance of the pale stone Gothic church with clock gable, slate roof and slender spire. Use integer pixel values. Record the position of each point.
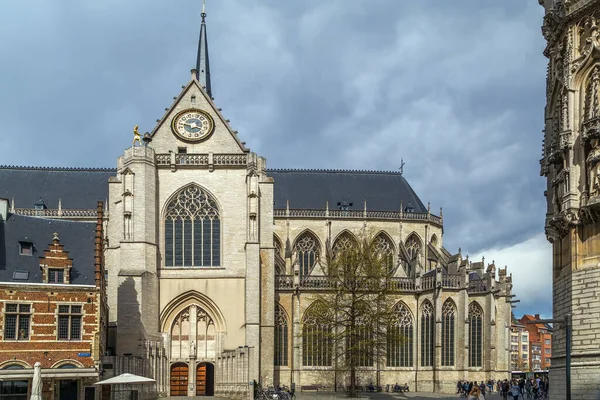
(213, 261)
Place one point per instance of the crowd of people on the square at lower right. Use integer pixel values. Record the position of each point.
(516, 388)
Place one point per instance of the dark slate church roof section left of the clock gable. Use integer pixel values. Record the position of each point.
(78, 188)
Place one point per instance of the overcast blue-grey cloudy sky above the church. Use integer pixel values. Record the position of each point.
(456, 89)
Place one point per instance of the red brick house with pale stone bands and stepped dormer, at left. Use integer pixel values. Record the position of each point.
(53, 302)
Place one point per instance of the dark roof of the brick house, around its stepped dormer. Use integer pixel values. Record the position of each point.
(77, 238)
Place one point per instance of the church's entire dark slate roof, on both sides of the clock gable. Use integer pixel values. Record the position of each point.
(305, 189)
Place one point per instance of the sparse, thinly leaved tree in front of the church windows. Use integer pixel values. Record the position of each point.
(358, 310)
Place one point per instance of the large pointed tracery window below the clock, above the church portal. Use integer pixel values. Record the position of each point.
(192, 230)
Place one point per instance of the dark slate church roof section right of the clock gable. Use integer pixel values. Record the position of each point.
(310, 189)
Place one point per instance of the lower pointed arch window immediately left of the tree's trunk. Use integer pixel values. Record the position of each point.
(316, 337)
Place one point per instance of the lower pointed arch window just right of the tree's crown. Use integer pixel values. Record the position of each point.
(400, 338)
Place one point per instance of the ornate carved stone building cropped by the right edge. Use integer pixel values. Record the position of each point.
(571, 164)
